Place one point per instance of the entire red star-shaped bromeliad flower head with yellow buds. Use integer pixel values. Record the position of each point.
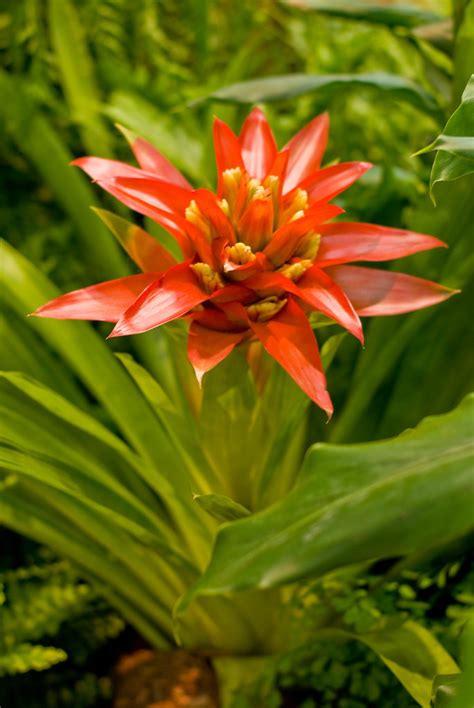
(258, 256)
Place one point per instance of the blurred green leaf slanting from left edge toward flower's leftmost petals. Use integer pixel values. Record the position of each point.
(43, 148)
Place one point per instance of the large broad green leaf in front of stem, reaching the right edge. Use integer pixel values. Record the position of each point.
(351, 504)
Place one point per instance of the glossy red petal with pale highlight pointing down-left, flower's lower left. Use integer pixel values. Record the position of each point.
(170, 298)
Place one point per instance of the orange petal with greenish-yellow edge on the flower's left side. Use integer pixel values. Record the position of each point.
(146, 251)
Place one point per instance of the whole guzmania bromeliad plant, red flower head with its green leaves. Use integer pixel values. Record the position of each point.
(139, 506)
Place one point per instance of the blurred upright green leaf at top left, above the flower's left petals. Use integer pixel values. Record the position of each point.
(77, 75)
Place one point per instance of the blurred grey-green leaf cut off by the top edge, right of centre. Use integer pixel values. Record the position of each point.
(390, 14)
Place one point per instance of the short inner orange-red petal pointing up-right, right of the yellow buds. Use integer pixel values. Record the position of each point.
(286, 239)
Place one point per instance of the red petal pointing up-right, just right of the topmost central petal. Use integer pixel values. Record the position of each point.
(306, 150)
